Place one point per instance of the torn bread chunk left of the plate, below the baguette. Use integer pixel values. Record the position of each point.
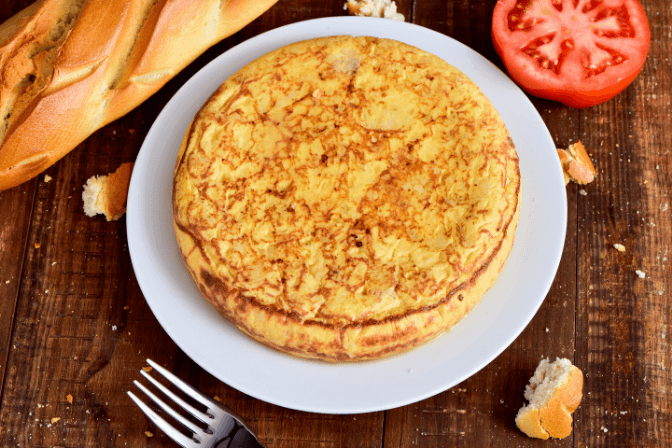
(107, 194)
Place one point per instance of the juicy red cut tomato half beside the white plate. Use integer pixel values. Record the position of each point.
(578, 52)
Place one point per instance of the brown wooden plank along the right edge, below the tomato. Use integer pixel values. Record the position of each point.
(624, 318)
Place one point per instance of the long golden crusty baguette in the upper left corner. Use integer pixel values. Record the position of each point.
(69, 67)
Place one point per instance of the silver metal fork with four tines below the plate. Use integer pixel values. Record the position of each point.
(224, 428)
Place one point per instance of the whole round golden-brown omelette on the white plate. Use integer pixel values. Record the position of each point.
(346, 198)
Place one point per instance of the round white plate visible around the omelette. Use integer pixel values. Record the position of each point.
(347, 388)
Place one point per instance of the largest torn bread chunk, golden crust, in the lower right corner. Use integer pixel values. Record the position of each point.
(554, 393)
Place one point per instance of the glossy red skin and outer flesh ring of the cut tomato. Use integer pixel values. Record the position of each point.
(575, 93)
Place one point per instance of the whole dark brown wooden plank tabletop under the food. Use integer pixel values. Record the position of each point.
(76, 329)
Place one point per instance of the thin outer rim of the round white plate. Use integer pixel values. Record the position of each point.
(302, 30)
